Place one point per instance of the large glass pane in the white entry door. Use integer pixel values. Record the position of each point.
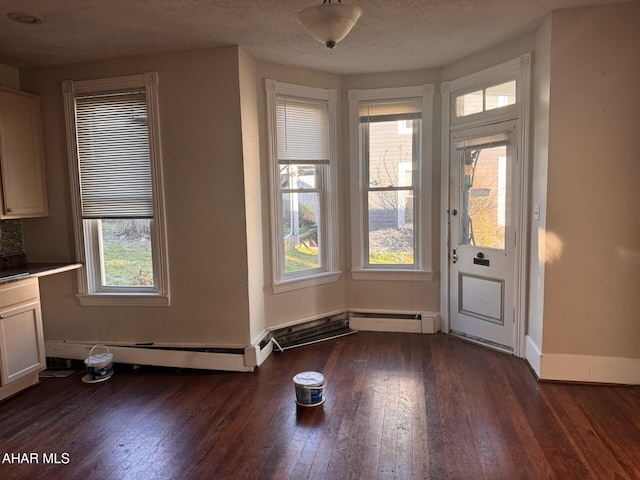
(484, 197)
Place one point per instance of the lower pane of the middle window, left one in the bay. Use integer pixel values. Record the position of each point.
(301, 230)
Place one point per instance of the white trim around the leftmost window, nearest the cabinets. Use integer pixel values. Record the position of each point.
(87, 282)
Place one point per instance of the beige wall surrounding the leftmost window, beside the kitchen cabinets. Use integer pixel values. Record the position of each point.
(202, 146)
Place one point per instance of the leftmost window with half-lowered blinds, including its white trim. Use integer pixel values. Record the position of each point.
(116, 184)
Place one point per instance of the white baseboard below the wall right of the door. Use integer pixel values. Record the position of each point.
(590, 369)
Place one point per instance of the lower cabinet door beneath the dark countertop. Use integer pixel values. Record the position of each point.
(21, 342)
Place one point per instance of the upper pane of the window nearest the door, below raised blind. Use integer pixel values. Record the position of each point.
(391, 153)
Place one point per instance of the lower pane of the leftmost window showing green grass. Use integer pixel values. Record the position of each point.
(126, 251)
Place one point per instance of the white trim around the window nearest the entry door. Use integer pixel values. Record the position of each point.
(423, 269)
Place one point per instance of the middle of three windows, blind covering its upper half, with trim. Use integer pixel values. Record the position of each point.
(302, 122)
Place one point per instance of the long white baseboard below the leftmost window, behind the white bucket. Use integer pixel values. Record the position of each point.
(157, 356)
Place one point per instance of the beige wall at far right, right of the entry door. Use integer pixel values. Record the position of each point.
(591, 300)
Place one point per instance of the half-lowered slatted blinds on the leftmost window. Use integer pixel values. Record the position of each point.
(113, 155)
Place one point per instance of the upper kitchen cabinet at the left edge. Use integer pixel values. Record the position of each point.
(24, 192)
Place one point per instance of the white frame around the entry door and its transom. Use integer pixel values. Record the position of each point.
(519, 69)
